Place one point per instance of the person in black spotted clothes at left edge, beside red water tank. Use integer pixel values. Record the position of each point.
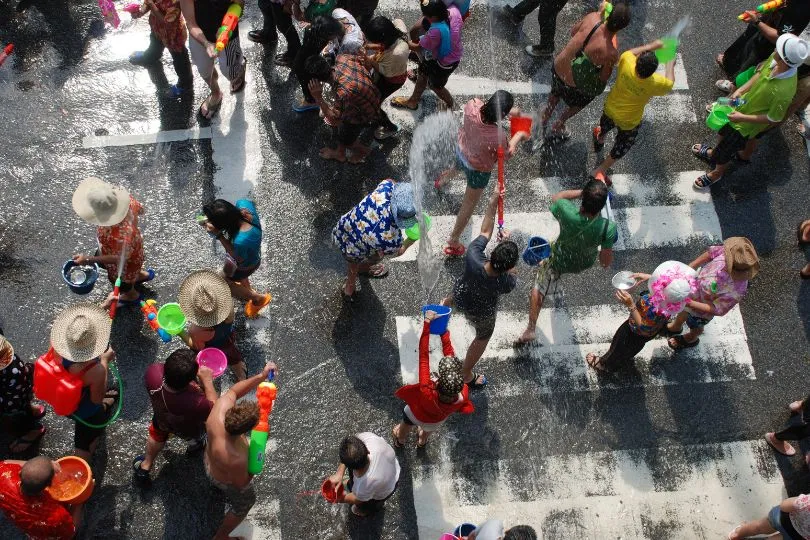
(16, 393)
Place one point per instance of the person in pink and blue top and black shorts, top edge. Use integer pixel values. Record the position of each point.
(440, 52)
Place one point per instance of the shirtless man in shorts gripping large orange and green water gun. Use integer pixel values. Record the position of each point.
(226, 455)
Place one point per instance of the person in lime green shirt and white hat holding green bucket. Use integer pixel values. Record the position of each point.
(767, 96)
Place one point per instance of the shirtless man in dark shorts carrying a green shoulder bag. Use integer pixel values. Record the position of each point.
(600, 57)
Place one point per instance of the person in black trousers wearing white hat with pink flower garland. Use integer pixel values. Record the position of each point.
(671, 285)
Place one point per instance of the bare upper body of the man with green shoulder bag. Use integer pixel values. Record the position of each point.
(600, 49)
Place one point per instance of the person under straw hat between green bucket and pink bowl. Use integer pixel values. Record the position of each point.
(206, 302)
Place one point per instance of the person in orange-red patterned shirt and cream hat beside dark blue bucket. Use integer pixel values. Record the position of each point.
(115, 212)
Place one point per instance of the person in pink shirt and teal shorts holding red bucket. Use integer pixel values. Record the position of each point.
(476, 155)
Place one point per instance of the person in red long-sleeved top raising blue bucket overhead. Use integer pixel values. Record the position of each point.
(429, 402)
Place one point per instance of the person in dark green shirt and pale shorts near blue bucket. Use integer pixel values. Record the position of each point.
(582, 232)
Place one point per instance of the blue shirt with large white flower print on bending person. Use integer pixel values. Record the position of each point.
(369, 227)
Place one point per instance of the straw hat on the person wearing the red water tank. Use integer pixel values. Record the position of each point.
(81, 332)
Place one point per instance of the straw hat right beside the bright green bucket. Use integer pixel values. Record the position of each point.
(205, 298)
